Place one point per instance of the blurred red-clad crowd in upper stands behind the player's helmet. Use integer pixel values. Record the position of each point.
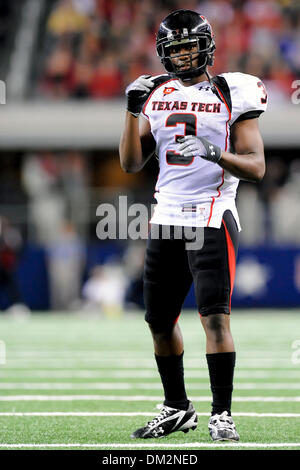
(94, 48)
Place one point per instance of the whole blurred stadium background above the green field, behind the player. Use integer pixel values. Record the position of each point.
(66, 64)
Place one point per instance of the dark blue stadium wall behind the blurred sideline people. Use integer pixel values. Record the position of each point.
(268, 276)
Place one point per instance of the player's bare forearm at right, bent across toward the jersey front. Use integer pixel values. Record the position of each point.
(250, 167)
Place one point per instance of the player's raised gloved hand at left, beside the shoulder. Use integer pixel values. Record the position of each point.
(137, 93)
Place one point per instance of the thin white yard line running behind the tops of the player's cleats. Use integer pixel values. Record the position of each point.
(138, 413)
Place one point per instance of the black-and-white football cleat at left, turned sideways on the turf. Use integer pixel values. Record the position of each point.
(169, 420)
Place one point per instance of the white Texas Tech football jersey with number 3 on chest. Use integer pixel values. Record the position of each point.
(194, 191)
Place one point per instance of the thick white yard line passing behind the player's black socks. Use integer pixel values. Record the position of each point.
(134, 386)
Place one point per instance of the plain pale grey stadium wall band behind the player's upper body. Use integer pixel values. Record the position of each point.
(97, 125)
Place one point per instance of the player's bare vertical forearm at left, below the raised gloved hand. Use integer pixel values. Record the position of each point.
(130, 148)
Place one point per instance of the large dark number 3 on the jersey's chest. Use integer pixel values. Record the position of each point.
(190, 121)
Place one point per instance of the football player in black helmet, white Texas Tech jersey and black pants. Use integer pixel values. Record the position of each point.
(204, 131)
